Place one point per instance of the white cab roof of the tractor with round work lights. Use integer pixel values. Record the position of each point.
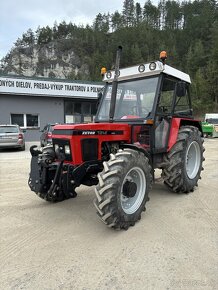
(147, 69)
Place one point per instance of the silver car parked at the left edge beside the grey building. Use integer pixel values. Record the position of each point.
(11, 136)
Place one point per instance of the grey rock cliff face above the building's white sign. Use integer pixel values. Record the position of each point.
(47, 60)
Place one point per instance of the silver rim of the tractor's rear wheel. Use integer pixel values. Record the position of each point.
(193, 157)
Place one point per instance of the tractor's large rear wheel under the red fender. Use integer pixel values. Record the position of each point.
(184, 161)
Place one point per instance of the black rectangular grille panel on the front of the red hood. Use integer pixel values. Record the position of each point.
(89, 149)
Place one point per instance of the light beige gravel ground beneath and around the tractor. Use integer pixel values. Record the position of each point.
(65, 246)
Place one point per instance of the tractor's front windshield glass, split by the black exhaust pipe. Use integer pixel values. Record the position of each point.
(134, 99)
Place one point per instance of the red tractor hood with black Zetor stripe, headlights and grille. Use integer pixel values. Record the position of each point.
(85, 141)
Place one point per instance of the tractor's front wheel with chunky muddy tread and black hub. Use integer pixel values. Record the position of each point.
(123, 188)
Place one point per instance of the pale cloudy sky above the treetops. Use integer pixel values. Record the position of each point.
(17, 16)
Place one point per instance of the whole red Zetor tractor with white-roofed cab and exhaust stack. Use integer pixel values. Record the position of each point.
(144, 121)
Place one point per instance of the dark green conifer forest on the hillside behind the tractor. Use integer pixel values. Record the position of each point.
(187, 30)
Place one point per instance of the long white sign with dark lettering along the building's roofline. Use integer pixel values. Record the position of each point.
(48, 88)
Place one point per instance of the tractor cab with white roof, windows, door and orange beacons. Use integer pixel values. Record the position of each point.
(149, 94)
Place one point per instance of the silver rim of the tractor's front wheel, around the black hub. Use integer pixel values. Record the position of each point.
(131, 204)
